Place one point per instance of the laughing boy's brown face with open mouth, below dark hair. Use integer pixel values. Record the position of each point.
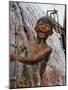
(44, 30)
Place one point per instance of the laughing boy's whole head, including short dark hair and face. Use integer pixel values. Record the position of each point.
(43, 28)
